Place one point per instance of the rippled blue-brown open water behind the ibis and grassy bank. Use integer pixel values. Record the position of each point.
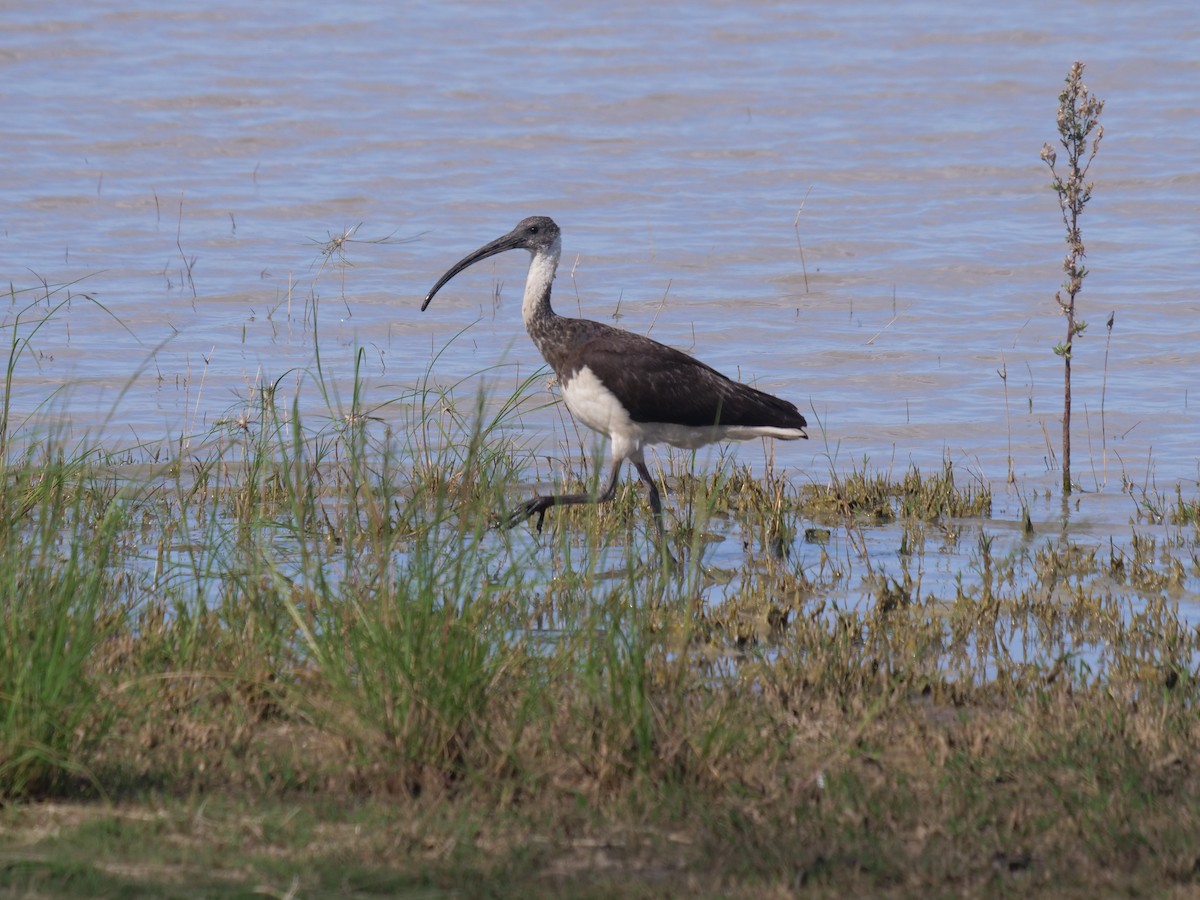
(845, 206)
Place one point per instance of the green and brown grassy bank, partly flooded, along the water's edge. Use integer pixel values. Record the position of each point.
(301, 659)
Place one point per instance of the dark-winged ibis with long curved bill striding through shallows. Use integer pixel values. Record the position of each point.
(633, 389)
